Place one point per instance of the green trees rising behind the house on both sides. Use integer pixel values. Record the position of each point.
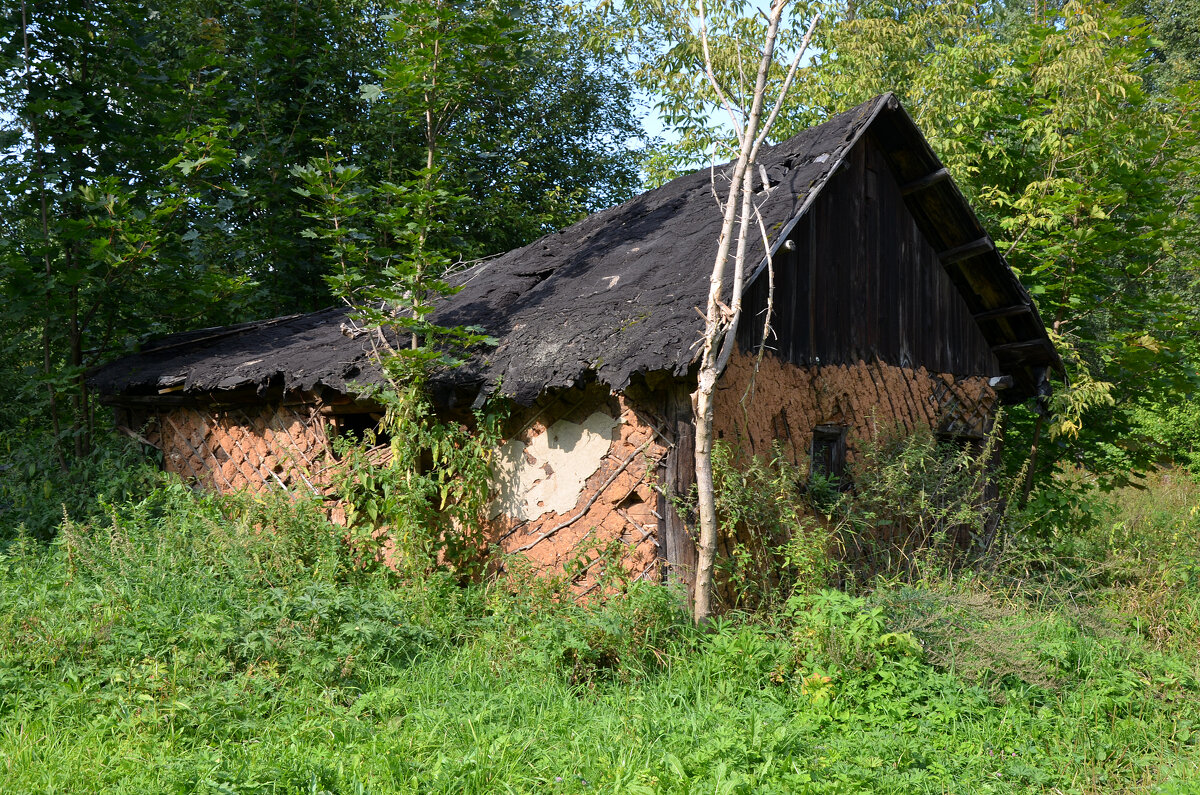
(152, 154)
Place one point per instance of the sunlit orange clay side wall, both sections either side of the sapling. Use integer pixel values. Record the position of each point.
(577, 482)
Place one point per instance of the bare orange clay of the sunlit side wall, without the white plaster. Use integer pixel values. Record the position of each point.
(289, 447)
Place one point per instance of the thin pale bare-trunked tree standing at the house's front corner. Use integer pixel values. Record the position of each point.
(722, 319)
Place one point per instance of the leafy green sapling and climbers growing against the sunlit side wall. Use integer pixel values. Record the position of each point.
(419, 503)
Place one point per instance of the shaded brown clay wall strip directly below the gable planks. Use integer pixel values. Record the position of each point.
(787, 403)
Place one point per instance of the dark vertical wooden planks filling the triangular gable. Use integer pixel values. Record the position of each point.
(866, 284)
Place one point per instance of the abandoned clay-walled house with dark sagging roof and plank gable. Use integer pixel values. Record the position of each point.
(892, 306)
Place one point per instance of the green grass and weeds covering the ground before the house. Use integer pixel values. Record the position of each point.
(194, 644)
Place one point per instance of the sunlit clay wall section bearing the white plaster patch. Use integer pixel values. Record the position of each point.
(578, 489)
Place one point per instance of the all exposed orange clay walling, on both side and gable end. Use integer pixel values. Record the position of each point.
(584, 482)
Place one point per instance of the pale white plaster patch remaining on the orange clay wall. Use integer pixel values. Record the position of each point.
(548, 475)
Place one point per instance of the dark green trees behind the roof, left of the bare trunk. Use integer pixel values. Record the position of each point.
(149, 163)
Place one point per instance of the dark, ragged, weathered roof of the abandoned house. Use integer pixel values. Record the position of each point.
(617, 294)
